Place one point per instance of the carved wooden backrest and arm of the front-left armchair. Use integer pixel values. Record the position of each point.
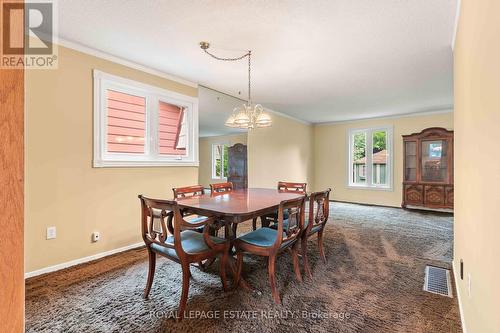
(162, 218)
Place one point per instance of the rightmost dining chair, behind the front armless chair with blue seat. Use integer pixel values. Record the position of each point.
(319, 210)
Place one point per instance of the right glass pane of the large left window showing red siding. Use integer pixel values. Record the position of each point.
(171, 119)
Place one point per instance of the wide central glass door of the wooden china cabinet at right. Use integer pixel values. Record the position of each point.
(434, 161)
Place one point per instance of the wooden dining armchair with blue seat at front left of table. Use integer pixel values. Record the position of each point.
(166, 233)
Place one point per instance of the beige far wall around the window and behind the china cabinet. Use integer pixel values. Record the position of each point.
(331, 156)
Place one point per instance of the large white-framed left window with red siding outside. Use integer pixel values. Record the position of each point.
(141, 125)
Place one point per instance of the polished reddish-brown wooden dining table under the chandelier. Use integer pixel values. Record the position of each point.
(235, 207)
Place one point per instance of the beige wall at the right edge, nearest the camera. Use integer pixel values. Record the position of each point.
(477, 163)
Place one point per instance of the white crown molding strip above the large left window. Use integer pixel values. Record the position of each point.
(121, 61)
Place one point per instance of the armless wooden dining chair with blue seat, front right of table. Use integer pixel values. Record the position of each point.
(269, 242)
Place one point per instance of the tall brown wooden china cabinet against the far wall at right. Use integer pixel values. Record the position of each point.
(428, 169)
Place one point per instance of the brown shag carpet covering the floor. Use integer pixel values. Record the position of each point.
(372, 283)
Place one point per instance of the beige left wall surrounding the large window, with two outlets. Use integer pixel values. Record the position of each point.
(62, 188)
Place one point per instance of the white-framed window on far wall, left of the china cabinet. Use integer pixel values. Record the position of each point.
(370, 160)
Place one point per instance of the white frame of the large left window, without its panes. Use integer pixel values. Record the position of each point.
(153, 95)
